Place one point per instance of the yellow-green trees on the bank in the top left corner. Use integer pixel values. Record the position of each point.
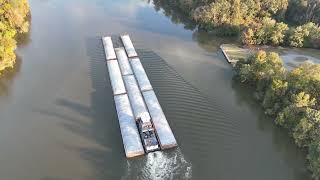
(13, 21)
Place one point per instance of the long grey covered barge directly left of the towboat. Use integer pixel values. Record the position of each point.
(130, 135)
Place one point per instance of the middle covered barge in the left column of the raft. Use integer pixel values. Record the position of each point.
(115, 77)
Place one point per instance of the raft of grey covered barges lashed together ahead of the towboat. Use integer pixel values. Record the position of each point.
(134, 97)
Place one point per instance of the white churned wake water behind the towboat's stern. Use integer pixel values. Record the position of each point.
(168, 164)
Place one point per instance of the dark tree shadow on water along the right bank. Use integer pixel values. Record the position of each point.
(293, 156)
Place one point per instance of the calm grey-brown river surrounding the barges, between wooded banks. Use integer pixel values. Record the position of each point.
(57, 115)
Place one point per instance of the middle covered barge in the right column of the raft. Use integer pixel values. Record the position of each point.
(140, 74)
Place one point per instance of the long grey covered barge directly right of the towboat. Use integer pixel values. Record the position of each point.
(165, 135)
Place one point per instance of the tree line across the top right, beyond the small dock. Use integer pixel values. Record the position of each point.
(292, 23)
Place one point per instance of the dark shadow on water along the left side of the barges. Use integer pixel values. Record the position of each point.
(108, 160)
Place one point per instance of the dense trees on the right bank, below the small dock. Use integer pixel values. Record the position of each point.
(291, 98)
